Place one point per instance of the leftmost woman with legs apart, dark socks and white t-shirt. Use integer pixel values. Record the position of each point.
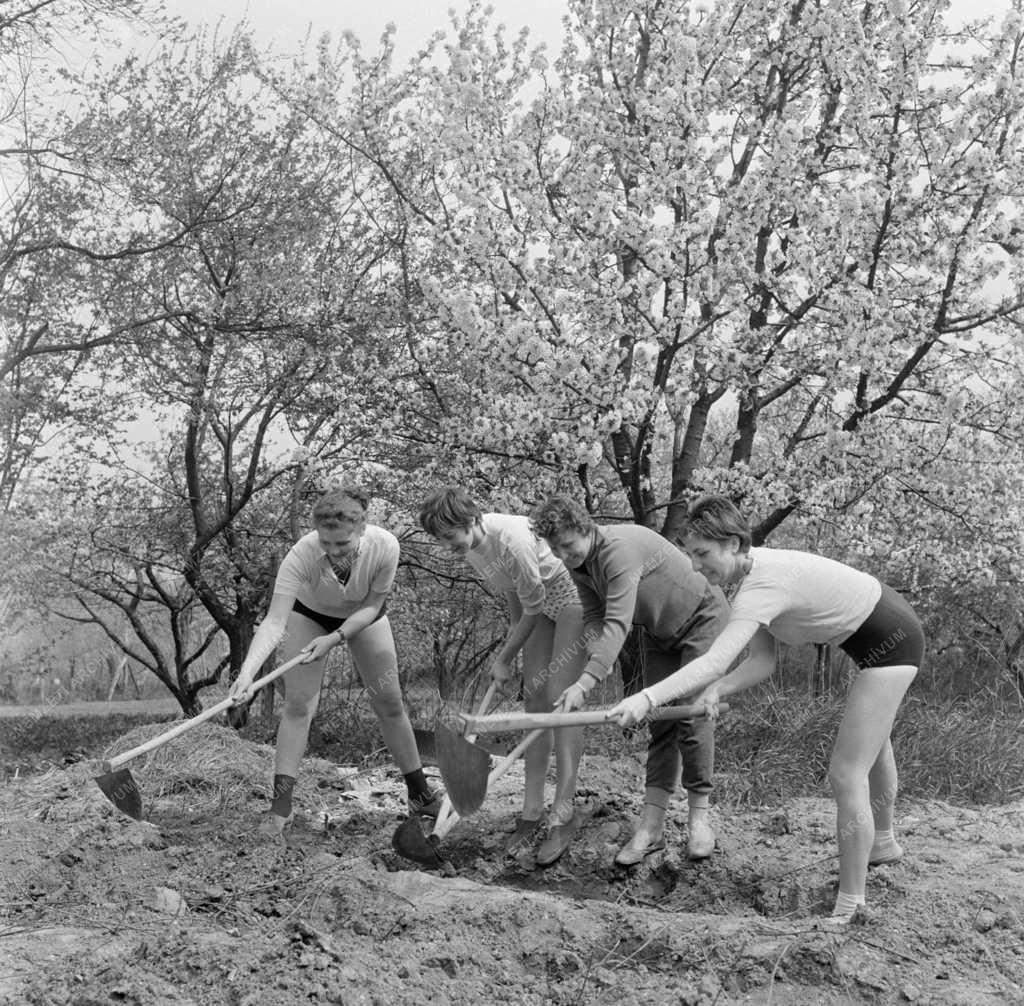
(331, 590)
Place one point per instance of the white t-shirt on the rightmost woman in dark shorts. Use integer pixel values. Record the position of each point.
(801, 598)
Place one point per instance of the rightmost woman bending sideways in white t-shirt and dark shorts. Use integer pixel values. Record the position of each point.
(799, 598)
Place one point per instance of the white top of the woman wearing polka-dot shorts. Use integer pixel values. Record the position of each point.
(511, 559)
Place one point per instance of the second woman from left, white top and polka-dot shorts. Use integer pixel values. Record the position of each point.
(546, 625)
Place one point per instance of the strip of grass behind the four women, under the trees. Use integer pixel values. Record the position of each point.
(771, 747)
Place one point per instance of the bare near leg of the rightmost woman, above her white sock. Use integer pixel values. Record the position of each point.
(864, 735)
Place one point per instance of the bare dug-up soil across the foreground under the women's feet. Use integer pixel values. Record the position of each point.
(193, 907)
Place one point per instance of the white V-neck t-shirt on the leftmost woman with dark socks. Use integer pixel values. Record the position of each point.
(306, 573)
